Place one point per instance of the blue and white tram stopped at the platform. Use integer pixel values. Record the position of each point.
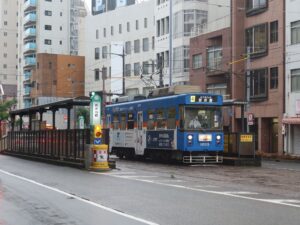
(185, 127)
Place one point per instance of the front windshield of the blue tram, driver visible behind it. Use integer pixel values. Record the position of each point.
(202, 118)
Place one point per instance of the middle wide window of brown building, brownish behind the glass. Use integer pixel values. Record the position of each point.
(256, 40)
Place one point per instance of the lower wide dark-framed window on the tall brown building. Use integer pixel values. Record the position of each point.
(258, 84)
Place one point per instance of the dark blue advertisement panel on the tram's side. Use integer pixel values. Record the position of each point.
(160, 139)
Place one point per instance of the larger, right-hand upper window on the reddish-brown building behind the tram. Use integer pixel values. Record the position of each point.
(214, 58)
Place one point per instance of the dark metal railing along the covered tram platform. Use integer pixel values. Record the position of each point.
(61, 145)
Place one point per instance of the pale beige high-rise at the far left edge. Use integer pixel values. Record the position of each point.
(8, 42)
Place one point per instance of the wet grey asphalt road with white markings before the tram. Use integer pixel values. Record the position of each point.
(148, 193)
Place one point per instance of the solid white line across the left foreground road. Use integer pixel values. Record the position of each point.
(79, 198)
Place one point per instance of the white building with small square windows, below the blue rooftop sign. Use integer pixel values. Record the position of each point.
(115, 33)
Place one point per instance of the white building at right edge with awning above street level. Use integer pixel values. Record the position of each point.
(291, 120)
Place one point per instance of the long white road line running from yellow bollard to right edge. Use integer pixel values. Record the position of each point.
(228, 194)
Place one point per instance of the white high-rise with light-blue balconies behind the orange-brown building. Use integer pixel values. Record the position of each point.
(45, 26)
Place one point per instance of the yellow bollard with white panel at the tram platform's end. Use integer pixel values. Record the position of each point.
(100, 158)
